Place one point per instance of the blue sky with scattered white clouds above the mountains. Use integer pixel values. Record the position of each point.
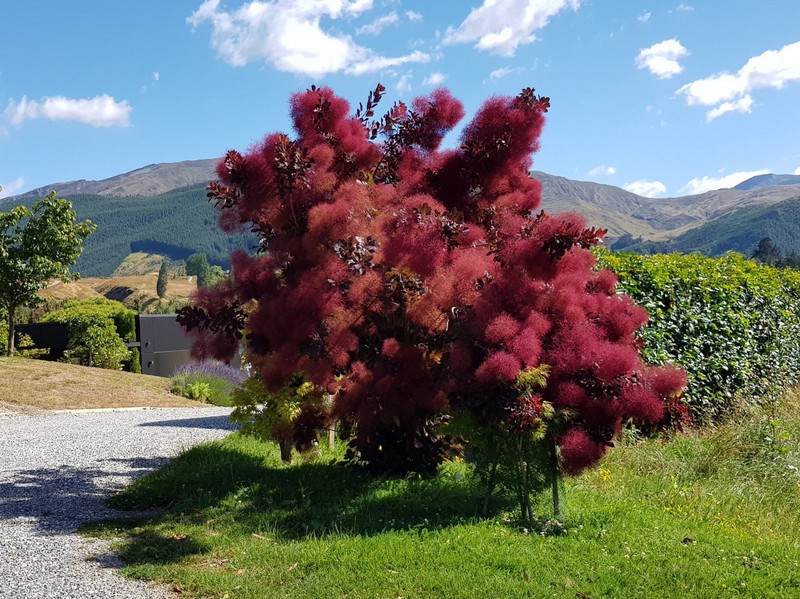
(664, 98)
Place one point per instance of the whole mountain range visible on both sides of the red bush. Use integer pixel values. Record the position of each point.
(162, 209)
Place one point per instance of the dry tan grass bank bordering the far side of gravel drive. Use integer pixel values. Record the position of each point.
(57, 386)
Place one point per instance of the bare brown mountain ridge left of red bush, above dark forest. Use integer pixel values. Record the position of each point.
(146, 181)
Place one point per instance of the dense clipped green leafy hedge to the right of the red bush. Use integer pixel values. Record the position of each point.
(731, 323)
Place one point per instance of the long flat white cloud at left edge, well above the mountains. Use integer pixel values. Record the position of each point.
(100, 111)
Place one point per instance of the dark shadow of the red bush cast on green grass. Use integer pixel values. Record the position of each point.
(225, 484)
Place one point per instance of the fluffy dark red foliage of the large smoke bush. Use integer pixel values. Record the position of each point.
(407, 280)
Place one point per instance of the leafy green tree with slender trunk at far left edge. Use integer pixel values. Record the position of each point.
(37, 244)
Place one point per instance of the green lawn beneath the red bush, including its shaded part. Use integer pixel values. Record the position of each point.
(699, 516)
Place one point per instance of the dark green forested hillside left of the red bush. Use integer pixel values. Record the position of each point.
(175, 224)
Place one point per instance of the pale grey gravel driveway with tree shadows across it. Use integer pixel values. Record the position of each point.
(57, 469)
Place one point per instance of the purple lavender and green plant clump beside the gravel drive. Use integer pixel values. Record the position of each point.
(211, 382)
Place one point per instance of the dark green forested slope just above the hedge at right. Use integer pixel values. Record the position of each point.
(738, 231)
